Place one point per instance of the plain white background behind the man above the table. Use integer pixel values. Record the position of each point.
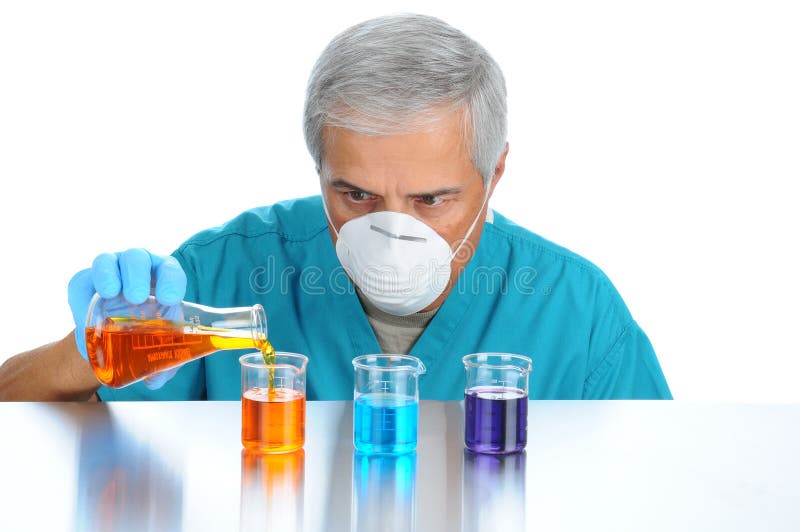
(658, 139)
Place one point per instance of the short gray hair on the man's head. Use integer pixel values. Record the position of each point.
(395, 74)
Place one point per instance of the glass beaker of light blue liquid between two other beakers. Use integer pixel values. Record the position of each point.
(386, 403)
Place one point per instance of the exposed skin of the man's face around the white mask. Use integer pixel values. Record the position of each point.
(428, 175)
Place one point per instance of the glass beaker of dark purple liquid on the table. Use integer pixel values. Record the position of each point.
(496, 402)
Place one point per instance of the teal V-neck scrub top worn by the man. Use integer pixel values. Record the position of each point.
(518, 294)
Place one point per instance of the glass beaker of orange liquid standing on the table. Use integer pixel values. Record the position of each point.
(273, 402)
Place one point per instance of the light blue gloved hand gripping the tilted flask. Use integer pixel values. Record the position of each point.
(131, 272)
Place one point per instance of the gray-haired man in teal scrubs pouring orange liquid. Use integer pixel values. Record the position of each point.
(405, 118)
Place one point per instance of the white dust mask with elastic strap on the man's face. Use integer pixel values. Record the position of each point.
(400, 264)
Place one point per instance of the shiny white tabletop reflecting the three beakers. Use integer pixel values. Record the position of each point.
(588, 466)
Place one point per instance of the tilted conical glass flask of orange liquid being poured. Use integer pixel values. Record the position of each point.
(127, 342)
